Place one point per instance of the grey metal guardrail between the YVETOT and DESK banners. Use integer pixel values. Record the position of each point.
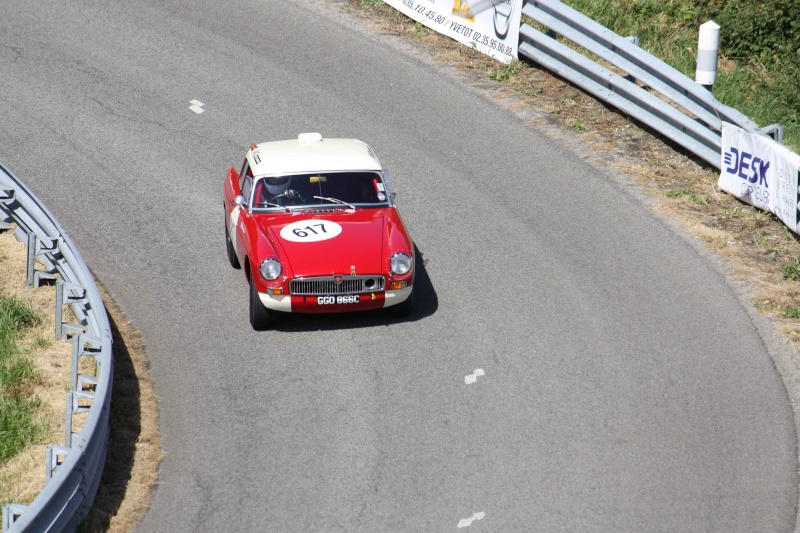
(685, 112)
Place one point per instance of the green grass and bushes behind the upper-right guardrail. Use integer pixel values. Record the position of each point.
(763, 38)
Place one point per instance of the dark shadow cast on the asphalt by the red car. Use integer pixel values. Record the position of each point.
(426, 304)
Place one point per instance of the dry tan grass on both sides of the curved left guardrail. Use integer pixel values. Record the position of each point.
(135, 444)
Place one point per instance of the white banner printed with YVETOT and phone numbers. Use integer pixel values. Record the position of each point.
(489, 26)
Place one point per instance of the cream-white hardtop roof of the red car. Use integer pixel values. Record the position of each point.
(311, 153)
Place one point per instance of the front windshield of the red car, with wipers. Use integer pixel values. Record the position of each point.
(343, 189)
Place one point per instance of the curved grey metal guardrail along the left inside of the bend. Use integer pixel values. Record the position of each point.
(72, 471)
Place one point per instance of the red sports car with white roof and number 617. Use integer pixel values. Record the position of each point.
(312, 221)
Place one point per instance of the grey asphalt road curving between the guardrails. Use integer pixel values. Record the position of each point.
(624, 388)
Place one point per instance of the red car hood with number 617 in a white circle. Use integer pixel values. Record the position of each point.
(330, 243)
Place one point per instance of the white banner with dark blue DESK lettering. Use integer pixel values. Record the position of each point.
(761, 172)
